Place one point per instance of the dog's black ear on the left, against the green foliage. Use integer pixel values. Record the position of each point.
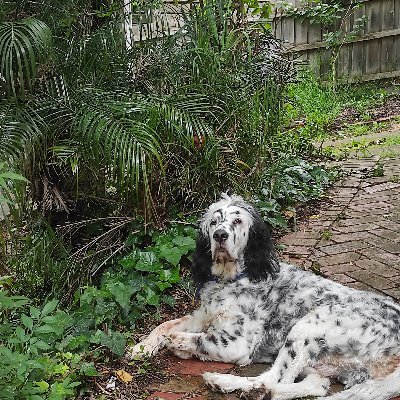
(201, 261)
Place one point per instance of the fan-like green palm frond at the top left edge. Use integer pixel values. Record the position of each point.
(23, 45)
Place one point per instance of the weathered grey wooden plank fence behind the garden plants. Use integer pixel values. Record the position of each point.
(373, 54)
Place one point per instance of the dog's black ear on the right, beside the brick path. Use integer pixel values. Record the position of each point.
(260, 259)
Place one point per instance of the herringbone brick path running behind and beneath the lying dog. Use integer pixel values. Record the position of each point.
(355, 240)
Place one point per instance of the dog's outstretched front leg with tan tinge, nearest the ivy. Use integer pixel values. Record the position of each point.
(157, 339)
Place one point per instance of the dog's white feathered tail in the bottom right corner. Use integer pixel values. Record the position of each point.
(372, 389)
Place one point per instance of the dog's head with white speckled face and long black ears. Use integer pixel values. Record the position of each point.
(233, 240)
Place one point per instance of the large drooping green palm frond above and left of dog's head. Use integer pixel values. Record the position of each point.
(124, 149)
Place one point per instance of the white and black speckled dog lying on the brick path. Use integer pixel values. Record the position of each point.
(256, 309)
